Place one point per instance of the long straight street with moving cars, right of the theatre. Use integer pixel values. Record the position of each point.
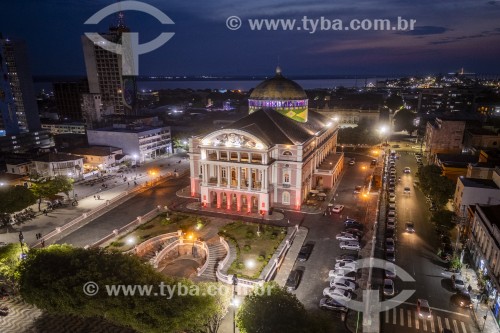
(417, 254)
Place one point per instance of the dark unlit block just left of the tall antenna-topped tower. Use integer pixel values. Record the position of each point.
(68, 97)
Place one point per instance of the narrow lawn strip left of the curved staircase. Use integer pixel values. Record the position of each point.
(158, 226)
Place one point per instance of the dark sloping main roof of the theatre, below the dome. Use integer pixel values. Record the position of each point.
(275, 128)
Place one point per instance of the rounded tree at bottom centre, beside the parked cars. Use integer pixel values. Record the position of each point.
(272, 309)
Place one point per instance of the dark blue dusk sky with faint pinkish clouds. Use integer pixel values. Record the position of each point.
(449, 35)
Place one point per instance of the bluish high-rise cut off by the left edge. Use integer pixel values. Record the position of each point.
(18, 108)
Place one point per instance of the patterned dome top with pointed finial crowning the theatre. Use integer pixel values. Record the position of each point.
(278, 88)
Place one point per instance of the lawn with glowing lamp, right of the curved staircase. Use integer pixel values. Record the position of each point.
(253, 251)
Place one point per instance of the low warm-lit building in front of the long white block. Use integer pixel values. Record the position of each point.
(98, 157)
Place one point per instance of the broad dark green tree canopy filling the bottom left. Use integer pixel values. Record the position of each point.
(53, 279)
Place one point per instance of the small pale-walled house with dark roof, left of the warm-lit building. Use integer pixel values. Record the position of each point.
(58, 164)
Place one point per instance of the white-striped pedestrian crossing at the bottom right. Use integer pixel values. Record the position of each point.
(410, 319)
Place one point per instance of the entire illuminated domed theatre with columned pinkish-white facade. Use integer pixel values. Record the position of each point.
(270, 158)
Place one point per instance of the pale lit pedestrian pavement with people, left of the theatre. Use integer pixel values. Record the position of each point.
(45, 224)
